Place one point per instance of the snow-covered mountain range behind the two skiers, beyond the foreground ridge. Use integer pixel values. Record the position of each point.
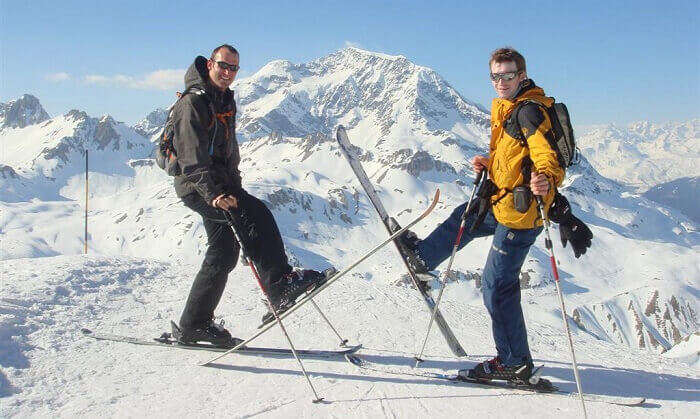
(637, 287)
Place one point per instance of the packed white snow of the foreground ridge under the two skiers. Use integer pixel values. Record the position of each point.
(49, 369)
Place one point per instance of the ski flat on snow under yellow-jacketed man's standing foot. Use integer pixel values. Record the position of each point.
(452, 378)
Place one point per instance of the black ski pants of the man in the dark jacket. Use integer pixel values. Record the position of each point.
(261, 240)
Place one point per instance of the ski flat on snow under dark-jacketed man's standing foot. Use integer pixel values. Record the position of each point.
(166, 341)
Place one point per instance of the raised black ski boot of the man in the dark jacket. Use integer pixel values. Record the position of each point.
(284, 292)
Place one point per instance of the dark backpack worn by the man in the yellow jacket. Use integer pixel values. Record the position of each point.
(560, 138)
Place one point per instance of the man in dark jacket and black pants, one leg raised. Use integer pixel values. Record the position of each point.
(204, 138)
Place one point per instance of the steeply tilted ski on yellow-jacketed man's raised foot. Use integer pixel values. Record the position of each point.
(422, 286)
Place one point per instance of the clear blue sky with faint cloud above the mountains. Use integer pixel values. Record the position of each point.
(610, 61)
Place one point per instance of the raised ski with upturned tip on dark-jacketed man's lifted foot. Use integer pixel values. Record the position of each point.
(308, 297)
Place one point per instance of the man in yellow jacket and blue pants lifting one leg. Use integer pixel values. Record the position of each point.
(519, 166)
